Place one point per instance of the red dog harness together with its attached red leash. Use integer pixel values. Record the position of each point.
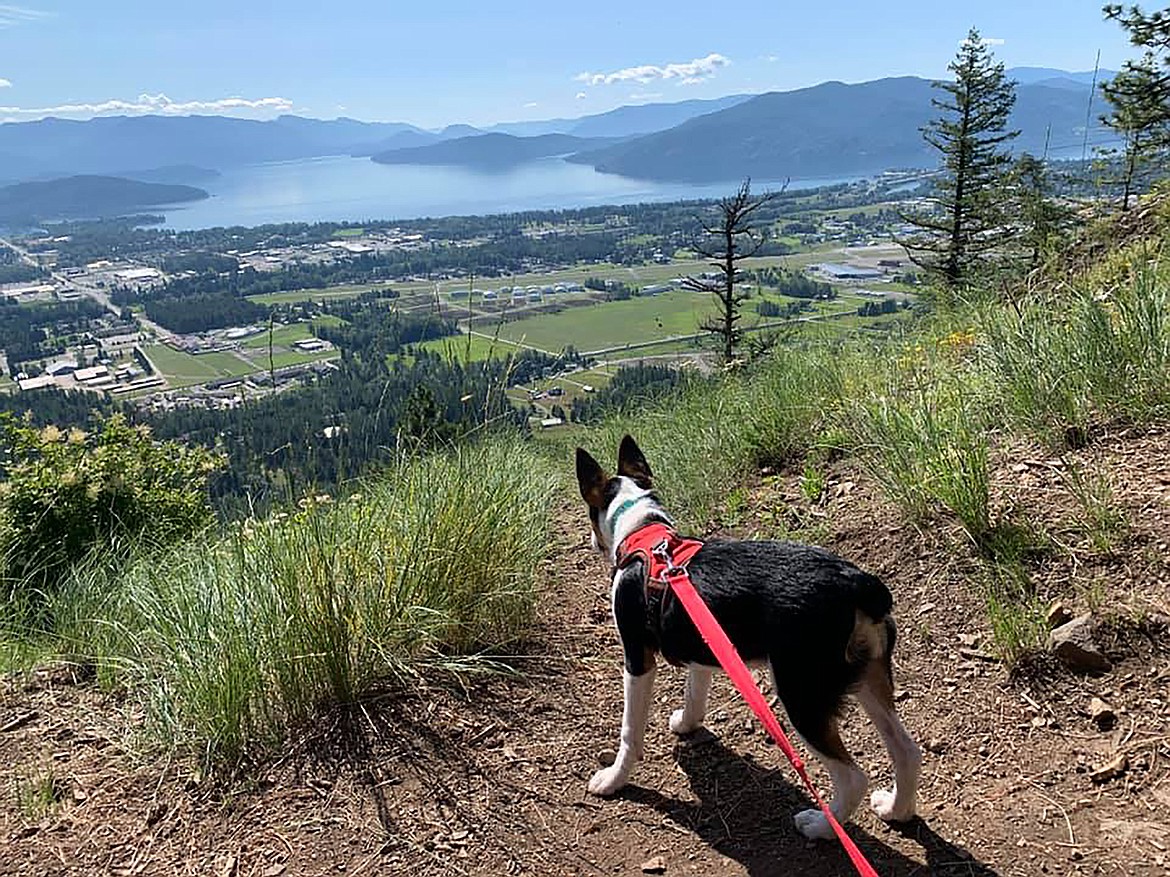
(667, 555)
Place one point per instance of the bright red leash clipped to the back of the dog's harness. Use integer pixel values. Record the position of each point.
(715, 638)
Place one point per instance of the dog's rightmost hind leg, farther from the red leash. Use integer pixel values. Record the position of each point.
(877, 698)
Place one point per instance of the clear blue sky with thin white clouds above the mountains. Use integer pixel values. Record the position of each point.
(435, 63)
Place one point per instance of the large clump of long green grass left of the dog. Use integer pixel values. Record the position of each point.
(229, 644)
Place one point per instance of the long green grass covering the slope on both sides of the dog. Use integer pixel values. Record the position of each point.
(920, 411)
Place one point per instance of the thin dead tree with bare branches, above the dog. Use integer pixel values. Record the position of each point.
(727, 243)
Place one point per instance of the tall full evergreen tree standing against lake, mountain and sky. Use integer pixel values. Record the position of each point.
(966, 219)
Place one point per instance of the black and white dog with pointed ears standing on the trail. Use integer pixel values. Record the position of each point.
(822, 625)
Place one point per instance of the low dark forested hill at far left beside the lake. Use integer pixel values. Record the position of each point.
(88, 197)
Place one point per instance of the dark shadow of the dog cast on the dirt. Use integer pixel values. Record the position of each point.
(745, 812)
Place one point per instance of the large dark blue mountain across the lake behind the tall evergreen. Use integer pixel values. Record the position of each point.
(832, 129)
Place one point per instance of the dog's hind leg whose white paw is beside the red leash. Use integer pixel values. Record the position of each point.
(816, 721)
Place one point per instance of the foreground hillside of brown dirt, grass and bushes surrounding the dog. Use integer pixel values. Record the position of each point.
(421, 674)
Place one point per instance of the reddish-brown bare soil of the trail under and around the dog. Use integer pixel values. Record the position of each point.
(490, 779)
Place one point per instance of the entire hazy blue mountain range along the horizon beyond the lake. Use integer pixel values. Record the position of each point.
(832, 129)
